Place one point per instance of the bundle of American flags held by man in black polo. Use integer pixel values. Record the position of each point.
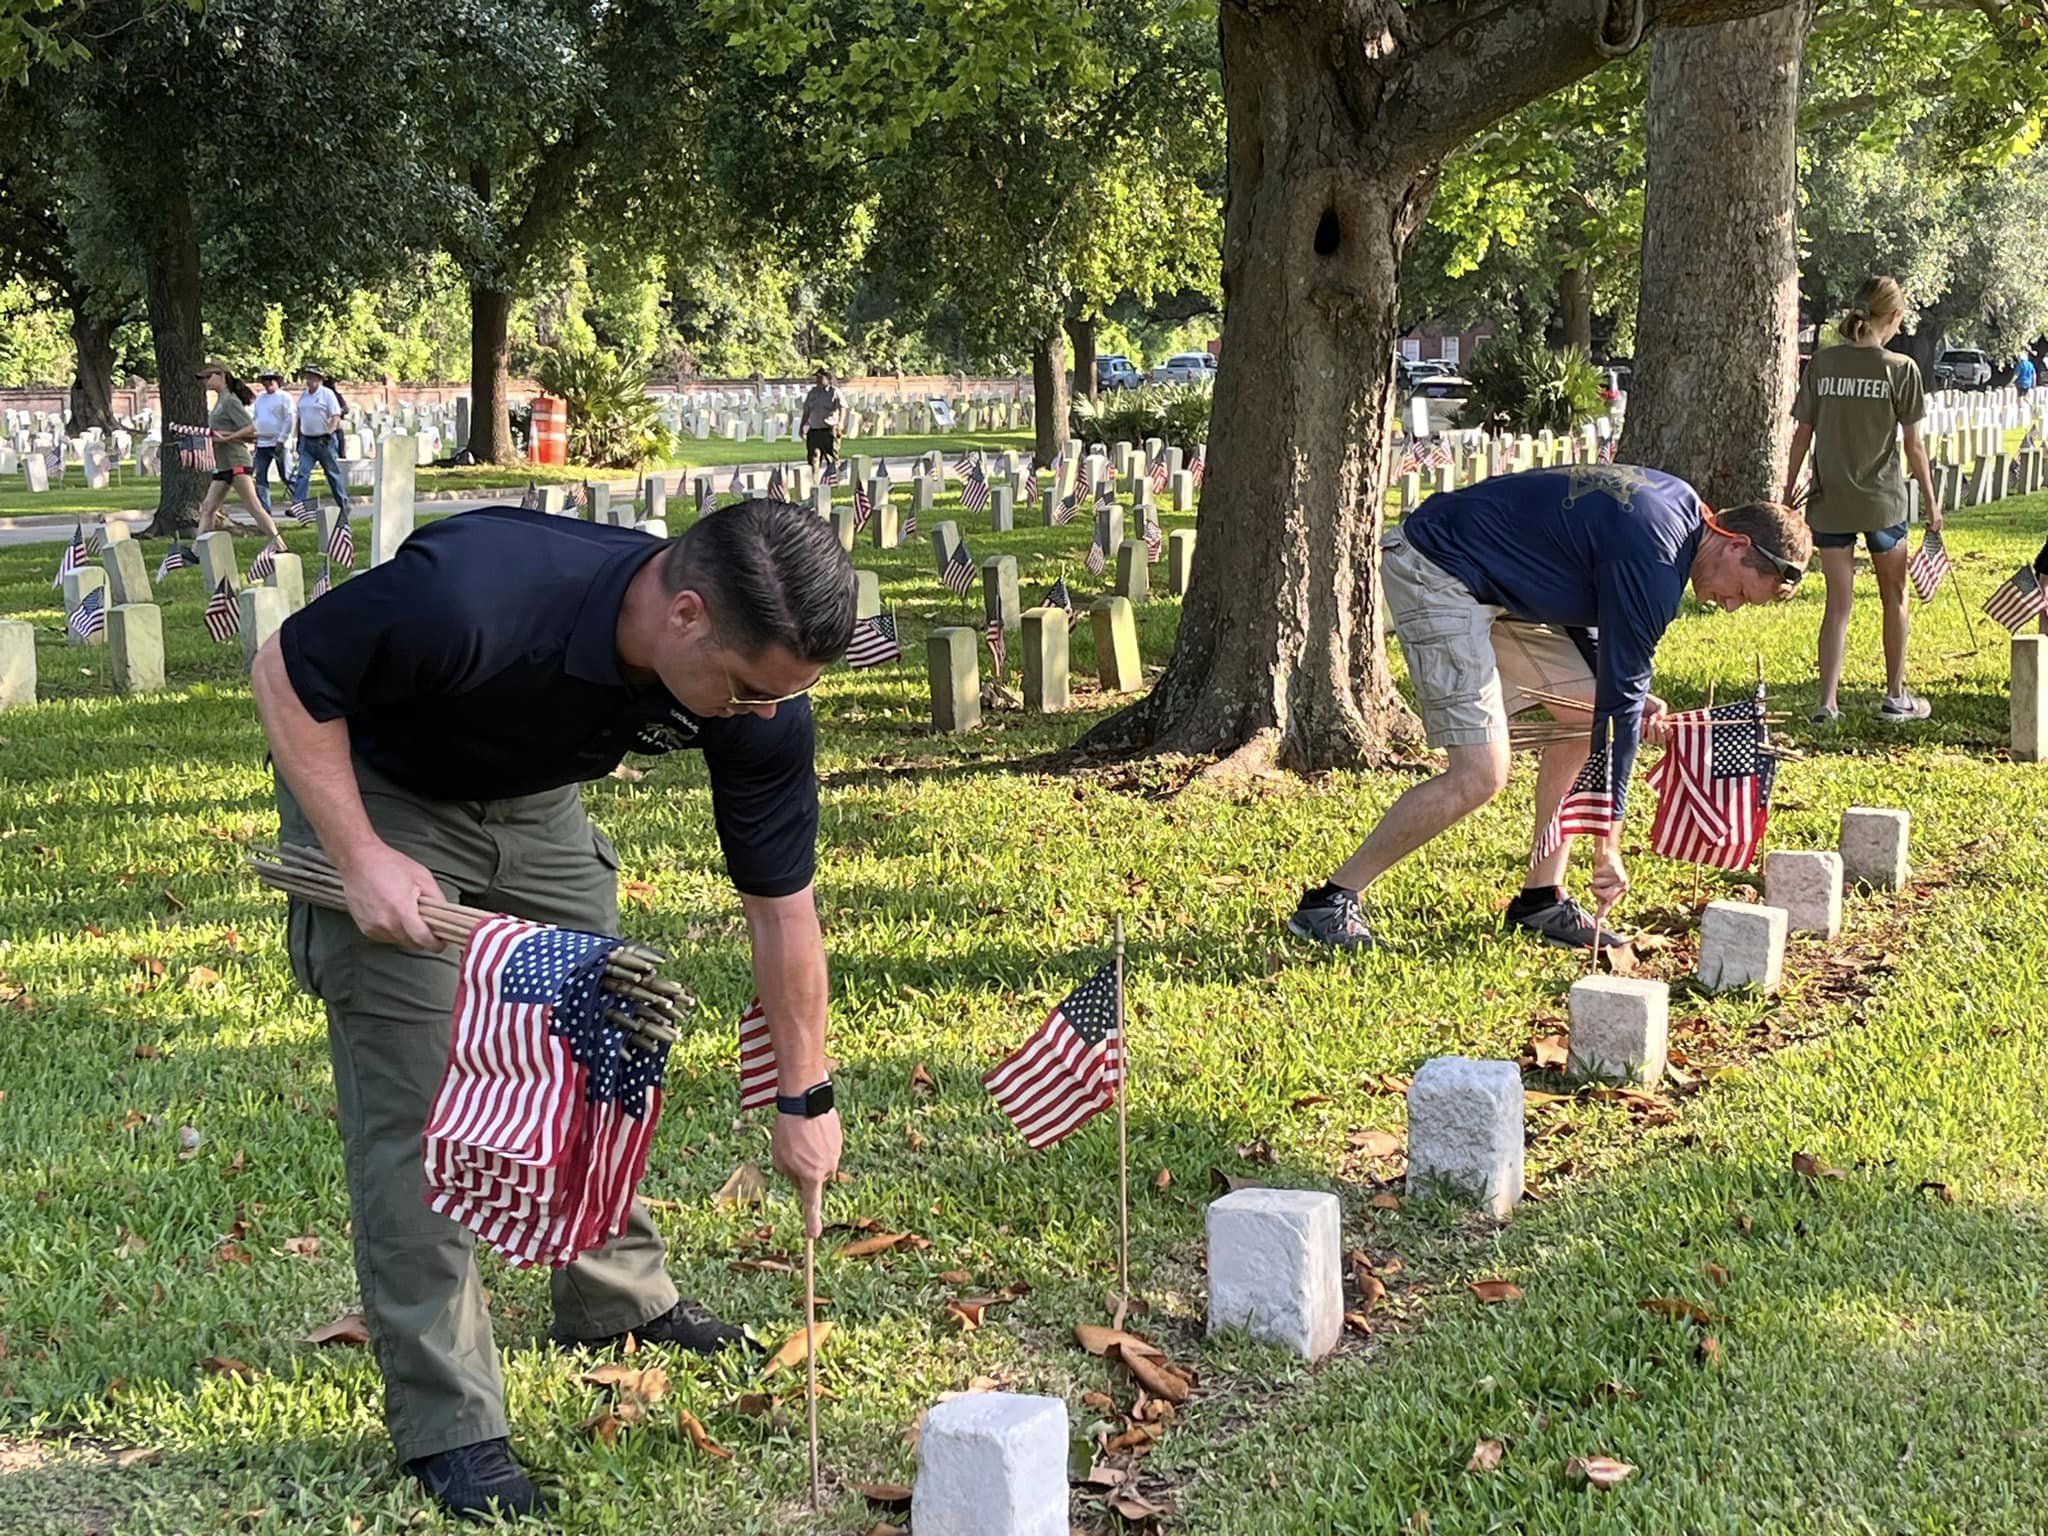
(546, 1111)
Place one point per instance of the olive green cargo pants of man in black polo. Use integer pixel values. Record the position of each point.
(388, 1031)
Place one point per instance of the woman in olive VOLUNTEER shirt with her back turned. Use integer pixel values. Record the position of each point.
(1852, 409)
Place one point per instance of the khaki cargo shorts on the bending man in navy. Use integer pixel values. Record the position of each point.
(1469, 663)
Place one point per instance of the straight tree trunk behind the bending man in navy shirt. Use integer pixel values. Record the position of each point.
(1715, 374)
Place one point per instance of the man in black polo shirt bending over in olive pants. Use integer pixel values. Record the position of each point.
(431, 724)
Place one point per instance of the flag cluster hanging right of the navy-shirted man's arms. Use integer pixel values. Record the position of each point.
(1715, 787)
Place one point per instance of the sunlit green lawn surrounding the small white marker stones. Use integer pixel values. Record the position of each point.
(1879, 1342)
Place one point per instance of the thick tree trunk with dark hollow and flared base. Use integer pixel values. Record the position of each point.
(1279, 638)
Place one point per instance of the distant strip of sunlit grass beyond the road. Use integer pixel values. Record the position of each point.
(140, 495)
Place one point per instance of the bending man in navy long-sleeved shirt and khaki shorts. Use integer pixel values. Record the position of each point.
(1498, 593)
